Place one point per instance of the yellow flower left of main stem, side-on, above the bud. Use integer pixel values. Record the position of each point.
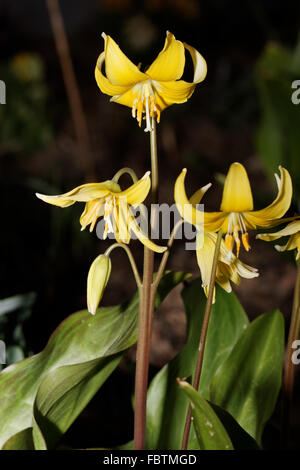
(107, 200)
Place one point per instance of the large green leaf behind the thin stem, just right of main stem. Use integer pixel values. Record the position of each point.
(166, 405)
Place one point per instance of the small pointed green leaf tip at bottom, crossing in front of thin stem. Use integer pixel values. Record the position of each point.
(210, 432)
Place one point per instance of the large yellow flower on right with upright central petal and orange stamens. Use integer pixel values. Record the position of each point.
(236, 212)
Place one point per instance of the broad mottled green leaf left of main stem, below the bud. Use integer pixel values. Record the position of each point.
(78, 358)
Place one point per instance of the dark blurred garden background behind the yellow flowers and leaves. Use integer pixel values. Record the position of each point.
(49, 144)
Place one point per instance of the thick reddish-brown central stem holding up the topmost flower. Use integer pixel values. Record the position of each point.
(145, 318)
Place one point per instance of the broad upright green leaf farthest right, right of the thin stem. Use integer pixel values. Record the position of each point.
(248, 382)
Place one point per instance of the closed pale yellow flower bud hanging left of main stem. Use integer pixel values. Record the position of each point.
(97, 279)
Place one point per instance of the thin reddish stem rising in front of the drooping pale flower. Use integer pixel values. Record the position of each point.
(203, 336)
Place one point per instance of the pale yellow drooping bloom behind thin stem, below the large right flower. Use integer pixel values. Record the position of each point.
(229, 267)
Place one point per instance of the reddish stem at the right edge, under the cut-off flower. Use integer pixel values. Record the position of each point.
(289, 366)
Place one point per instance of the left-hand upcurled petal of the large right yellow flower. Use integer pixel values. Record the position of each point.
(212, 221)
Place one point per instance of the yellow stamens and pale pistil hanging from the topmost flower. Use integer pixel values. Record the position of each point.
(145, 103)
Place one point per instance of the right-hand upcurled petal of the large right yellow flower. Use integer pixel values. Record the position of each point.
(269, 216)
